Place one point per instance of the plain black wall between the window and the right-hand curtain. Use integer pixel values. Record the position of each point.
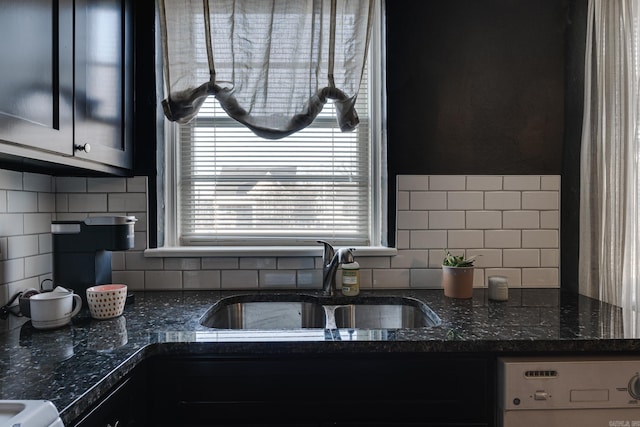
(487, 87)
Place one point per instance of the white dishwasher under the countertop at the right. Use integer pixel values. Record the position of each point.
(568, 391)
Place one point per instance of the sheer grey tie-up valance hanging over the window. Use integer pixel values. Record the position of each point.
(271, 64)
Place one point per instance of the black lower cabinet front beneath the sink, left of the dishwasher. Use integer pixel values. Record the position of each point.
(323, 390)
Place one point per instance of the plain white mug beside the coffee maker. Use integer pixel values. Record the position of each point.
(53, 309)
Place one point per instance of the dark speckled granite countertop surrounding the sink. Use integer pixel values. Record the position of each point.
(75, 365)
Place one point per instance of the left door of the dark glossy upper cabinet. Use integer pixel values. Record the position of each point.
(36, 74)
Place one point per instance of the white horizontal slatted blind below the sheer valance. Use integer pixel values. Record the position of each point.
(238, 188)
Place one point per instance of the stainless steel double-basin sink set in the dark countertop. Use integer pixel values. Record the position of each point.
(298, 311)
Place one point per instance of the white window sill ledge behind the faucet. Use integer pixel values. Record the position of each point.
(259, 251)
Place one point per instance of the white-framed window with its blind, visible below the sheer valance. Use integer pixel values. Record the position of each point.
(227, 187)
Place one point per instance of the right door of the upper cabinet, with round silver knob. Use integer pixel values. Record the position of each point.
(103, 81)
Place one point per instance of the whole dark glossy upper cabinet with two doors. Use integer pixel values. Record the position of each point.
(66, 78)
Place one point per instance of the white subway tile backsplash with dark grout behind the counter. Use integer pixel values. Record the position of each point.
(512, 221)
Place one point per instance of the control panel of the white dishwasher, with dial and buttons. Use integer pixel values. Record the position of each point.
(568, 383)
